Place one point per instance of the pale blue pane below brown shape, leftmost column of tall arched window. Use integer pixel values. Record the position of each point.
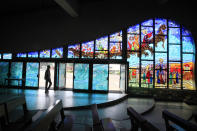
(133, 60)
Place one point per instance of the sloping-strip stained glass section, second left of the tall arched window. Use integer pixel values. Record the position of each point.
(101, 49)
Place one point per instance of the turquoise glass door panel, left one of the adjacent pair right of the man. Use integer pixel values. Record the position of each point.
(81, 76)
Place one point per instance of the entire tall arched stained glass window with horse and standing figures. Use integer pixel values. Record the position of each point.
(159, 57)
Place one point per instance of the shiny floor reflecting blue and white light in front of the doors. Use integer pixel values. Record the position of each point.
(38, 99)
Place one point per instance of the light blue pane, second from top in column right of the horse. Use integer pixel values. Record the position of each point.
(174, 35)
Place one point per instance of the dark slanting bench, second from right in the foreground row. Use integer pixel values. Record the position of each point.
(137, 121)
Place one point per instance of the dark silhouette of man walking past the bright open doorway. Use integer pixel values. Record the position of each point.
(47, 77)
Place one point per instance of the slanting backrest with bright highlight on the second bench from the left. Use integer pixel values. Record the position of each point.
(43, 123)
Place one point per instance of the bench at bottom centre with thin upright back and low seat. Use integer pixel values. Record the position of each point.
(101, 125)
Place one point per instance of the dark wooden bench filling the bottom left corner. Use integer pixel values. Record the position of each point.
(8, 106)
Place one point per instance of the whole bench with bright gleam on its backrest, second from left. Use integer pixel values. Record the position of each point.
(46, 121)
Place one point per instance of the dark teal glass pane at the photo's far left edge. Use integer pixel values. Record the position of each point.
(4, 67)
